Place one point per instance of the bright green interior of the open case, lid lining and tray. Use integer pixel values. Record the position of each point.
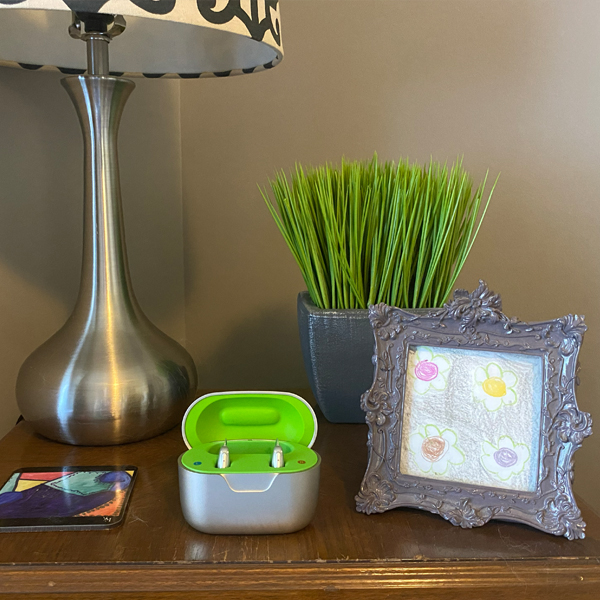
(250, 422)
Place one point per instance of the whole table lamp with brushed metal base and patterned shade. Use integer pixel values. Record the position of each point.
(109, 376)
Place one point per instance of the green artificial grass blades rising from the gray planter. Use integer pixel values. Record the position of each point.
(370, 232)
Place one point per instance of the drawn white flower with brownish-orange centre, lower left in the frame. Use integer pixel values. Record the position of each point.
(433, 449)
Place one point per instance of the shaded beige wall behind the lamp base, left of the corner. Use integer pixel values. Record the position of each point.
(41, 212)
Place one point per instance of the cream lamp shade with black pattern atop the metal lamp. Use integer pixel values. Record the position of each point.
(173, 38)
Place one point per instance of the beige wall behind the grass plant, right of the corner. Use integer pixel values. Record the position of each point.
(512, 84)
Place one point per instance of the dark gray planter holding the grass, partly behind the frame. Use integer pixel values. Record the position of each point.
(337, 346)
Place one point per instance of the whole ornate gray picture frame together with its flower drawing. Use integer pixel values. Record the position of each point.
(473, 415)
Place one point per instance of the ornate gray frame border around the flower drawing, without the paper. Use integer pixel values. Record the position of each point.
(476, 321)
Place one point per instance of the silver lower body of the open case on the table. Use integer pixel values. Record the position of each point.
(246, 503)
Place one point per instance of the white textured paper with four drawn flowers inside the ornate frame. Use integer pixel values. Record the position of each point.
(472, 416)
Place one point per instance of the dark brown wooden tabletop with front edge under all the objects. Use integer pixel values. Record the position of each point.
(341, 554)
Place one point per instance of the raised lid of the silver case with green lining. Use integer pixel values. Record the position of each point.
(249, 415)
